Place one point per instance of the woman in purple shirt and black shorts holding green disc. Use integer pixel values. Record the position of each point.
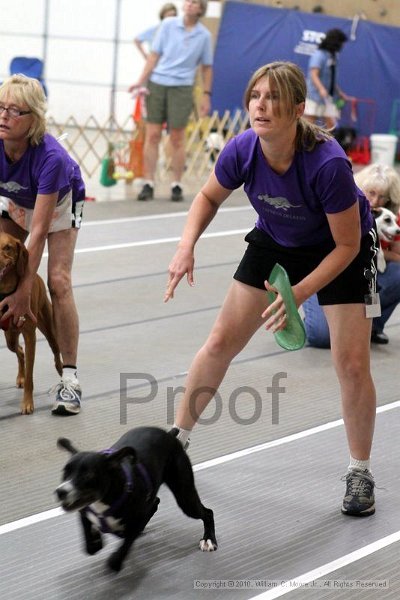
(312, 220)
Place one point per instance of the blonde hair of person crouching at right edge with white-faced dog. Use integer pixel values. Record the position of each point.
(383, 179)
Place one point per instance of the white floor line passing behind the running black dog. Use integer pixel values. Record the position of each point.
(55, 512)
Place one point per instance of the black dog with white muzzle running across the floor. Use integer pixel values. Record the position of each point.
(115, 491)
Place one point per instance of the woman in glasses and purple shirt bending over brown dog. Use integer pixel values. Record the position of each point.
(41, 194)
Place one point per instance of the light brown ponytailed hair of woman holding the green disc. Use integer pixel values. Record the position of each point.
(290, 83)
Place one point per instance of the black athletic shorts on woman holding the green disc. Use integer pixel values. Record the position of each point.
(350, 287)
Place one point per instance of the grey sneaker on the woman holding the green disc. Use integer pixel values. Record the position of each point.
(359, 500)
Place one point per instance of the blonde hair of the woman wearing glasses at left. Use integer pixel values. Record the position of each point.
(26, 91)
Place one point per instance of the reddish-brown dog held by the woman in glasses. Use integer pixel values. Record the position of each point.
(13, 261)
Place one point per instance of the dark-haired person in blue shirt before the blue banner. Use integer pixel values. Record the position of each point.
(323, 91)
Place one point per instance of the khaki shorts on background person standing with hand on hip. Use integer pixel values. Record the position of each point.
(169, 104)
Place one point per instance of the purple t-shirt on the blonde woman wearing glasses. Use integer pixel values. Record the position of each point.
(43, 169)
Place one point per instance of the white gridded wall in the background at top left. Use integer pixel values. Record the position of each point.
(80, 45)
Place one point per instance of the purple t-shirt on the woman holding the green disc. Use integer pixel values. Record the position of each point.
(292, 207)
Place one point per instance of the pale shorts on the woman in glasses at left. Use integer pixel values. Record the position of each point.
(67, 215)
